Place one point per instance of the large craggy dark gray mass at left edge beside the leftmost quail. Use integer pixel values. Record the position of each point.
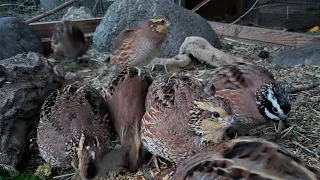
(25, 82)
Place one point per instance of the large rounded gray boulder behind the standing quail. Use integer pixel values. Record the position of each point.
(126, 13)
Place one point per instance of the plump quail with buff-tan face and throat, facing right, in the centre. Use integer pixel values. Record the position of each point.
(181, 118)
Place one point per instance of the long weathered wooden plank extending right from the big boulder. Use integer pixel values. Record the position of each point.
(263, 35)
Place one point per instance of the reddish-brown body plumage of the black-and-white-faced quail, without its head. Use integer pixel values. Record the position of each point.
(239, 83)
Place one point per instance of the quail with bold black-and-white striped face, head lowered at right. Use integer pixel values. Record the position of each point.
(254, 94)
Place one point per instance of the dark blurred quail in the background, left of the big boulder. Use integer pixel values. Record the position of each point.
(68, 41)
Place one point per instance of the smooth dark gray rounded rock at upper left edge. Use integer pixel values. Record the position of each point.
(17, 37)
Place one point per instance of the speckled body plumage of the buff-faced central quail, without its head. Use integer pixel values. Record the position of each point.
(168, 127)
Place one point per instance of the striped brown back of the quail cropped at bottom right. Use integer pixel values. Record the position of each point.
(245, 158)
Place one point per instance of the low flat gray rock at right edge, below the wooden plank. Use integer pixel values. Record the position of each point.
(308, 54)
